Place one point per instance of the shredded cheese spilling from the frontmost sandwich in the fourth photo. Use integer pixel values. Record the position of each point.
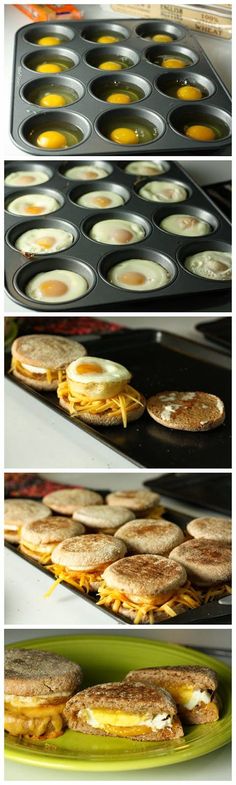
(185, 597)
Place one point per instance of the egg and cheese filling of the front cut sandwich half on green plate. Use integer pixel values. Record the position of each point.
(125, 721)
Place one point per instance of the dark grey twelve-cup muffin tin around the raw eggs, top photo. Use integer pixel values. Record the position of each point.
(170, 141)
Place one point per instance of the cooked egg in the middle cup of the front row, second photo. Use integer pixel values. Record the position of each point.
(139, 275)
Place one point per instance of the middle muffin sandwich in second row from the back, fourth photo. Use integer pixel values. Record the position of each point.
(103, 518)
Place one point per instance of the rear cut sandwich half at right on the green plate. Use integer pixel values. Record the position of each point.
(192, 687)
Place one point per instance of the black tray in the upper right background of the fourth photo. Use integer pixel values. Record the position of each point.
(208, 491)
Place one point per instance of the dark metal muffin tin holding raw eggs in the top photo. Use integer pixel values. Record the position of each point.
(93, 115)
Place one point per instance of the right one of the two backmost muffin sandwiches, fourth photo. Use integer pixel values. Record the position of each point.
(142, 502)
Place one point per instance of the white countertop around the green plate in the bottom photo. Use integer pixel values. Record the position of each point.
(213, 767)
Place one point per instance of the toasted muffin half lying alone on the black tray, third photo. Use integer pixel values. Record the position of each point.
(187, 411)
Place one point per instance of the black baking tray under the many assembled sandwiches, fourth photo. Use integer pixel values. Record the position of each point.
(208, 613)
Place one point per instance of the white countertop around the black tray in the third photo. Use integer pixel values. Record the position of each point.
(37, 438)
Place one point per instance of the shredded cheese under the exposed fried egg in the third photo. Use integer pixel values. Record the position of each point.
(123, 403)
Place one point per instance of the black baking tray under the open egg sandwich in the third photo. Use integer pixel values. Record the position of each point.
(159, 361)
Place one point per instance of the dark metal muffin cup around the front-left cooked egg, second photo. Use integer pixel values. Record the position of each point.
(25, 274)
